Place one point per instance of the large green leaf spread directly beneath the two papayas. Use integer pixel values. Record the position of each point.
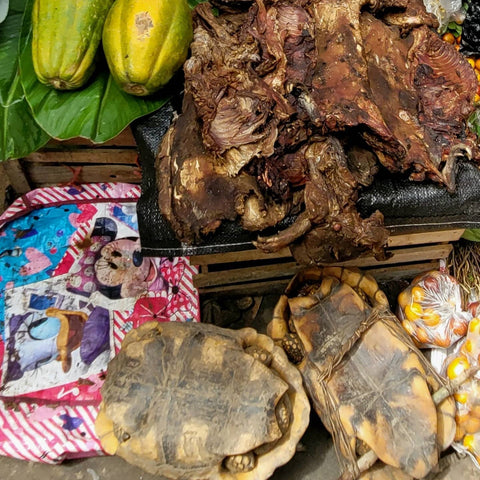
(98, 111)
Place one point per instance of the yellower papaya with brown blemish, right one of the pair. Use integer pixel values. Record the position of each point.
(146, 42)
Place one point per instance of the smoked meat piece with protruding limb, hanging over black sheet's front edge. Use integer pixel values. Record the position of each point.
(330, 214)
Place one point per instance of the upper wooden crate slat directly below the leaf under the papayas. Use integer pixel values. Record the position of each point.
(86, 155)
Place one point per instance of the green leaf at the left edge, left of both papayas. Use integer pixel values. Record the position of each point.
(19, 133)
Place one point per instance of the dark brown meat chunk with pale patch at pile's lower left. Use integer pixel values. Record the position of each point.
(196, 194)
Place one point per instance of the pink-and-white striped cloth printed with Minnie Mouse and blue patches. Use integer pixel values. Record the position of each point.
(73, 282)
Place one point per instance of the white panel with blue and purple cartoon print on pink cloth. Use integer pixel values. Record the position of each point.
(45, 335)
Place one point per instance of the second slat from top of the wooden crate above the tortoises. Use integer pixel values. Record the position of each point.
(261, 272)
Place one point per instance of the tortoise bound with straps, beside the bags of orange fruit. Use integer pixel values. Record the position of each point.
(367, 380)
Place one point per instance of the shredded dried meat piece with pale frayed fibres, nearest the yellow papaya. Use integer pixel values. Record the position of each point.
(239, 112)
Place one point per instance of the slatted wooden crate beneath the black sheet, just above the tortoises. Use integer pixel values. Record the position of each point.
(252, 272)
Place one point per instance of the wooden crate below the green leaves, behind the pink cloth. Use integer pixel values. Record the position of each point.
(77, 160)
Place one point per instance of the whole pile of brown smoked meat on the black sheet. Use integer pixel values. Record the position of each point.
(291, 108)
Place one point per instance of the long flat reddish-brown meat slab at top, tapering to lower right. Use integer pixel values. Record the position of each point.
(340, 97)
